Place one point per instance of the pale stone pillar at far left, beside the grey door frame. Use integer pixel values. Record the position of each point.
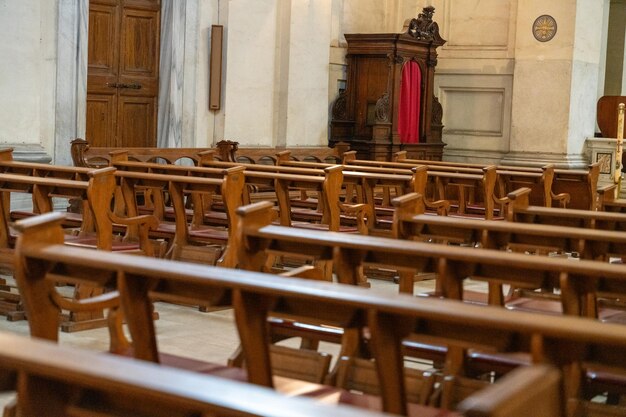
(27, 77)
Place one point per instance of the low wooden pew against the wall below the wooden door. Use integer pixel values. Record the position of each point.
(84, 155)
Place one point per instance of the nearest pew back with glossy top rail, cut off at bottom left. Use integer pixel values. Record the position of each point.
(58, 381)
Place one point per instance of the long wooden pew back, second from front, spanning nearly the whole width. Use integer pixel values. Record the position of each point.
(252, 295)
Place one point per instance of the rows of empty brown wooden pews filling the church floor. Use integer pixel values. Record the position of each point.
(545, 338)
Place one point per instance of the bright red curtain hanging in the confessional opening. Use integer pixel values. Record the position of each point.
(410, 99)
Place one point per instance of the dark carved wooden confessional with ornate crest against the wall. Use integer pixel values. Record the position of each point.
(366, 113)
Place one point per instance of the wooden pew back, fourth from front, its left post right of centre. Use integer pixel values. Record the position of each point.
(543, 238)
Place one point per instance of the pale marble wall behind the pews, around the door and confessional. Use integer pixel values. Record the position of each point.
(504, 94)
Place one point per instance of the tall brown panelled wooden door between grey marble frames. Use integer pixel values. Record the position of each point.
(123, 72)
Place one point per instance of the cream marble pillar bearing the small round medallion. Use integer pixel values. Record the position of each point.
(555, 83)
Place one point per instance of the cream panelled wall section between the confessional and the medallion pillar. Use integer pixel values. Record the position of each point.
(474, 79)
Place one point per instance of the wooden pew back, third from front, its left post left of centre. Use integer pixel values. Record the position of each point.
(580, 281)
